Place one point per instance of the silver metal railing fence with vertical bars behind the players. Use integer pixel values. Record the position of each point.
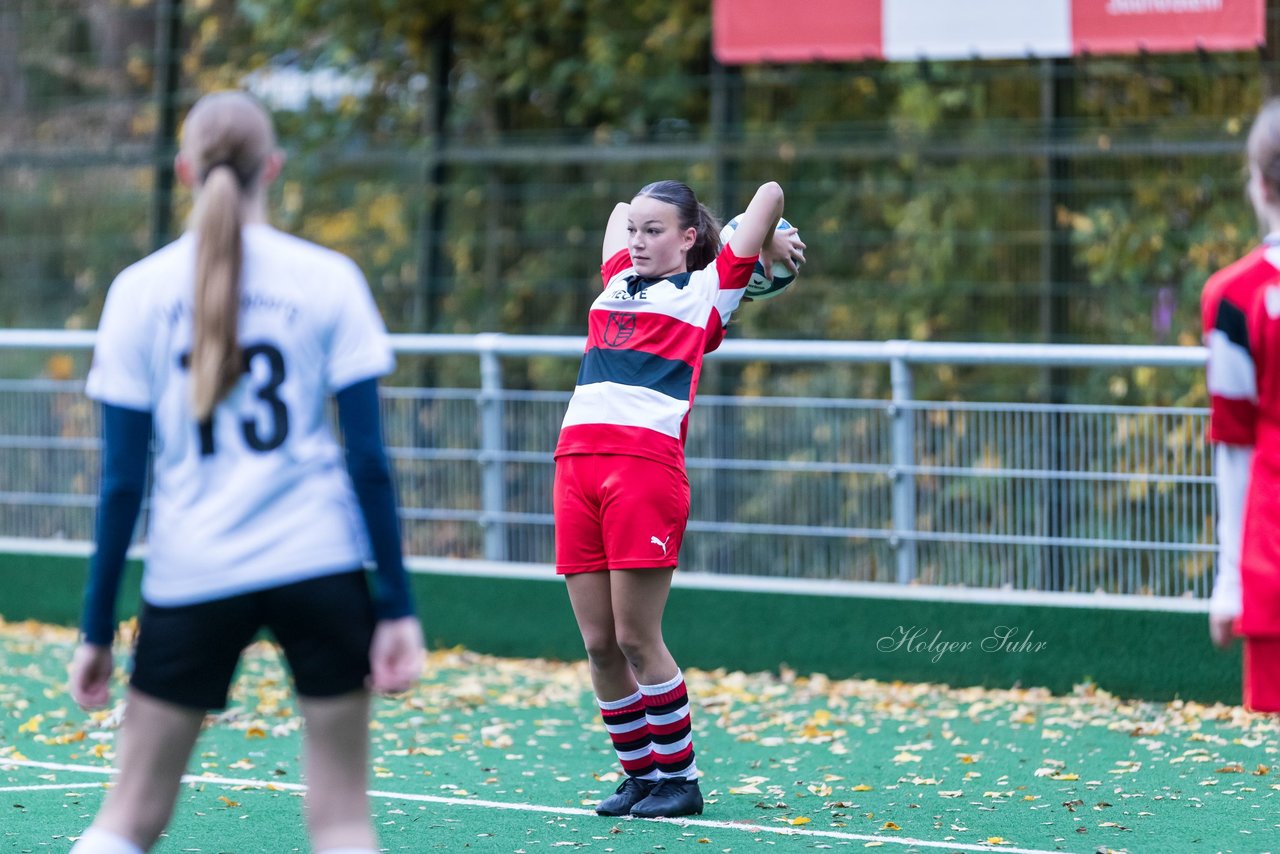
(986, 495)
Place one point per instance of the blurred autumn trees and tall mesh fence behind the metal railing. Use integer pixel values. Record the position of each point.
(468, 156)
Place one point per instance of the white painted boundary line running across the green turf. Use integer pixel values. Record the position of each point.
(537, 809)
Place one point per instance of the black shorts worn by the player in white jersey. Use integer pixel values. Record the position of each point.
(188, 655)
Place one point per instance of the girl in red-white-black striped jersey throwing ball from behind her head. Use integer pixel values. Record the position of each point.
(621, 490)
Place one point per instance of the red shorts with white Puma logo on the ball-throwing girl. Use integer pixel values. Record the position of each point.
(618, 513)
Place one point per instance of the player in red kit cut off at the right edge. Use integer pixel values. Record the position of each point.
(1241, 313)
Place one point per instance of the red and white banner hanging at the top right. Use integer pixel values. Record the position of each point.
(765, 31)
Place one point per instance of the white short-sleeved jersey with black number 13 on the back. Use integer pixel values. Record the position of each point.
(259, 497)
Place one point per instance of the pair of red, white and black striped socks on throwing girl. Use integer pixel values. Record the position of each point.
(652, 732)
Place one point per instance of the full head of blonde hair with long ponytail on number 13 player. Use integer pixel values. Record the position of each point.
(227, 139)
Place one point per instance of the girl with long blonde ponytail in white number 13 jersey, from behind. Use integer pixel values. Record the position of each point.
(214, 364)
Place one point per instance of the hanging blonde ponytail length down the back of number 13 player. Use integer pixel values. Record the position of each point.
(216, 354)
